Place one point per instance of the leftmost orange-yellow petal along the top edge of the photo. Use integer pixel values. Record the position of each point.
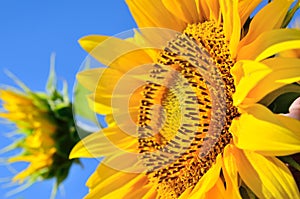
(148, 13)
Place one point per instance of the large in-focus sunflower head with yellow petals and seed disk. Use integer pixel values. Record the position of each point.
(182, 101)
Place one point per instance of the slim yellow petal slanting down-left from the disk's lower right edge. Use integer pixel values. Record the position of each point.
(207, 181)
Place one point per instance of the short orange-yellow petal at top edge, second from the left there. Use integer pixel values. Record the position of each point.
(185, 10)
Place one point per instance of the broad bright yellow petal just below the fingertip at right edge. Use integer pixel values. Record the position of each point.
(259, 130)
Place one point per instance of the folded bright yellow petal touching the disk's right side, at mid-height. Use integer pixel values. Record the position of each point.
(247, 74)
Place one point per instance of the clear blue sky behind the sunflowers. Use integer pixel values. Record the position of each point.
(29, 32)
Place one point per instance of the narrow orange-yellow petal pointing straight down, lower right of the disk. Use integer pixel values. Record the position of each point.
(229, 169)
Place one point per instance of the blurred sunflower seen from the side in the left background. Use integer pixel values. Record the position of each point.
(46, 132)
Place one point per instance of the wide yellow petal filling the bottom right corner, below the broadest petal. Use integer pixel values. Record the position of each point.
(267, 177)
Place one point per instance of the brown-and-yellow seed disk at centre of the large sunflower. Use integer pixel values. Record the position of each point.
(187, 109)
